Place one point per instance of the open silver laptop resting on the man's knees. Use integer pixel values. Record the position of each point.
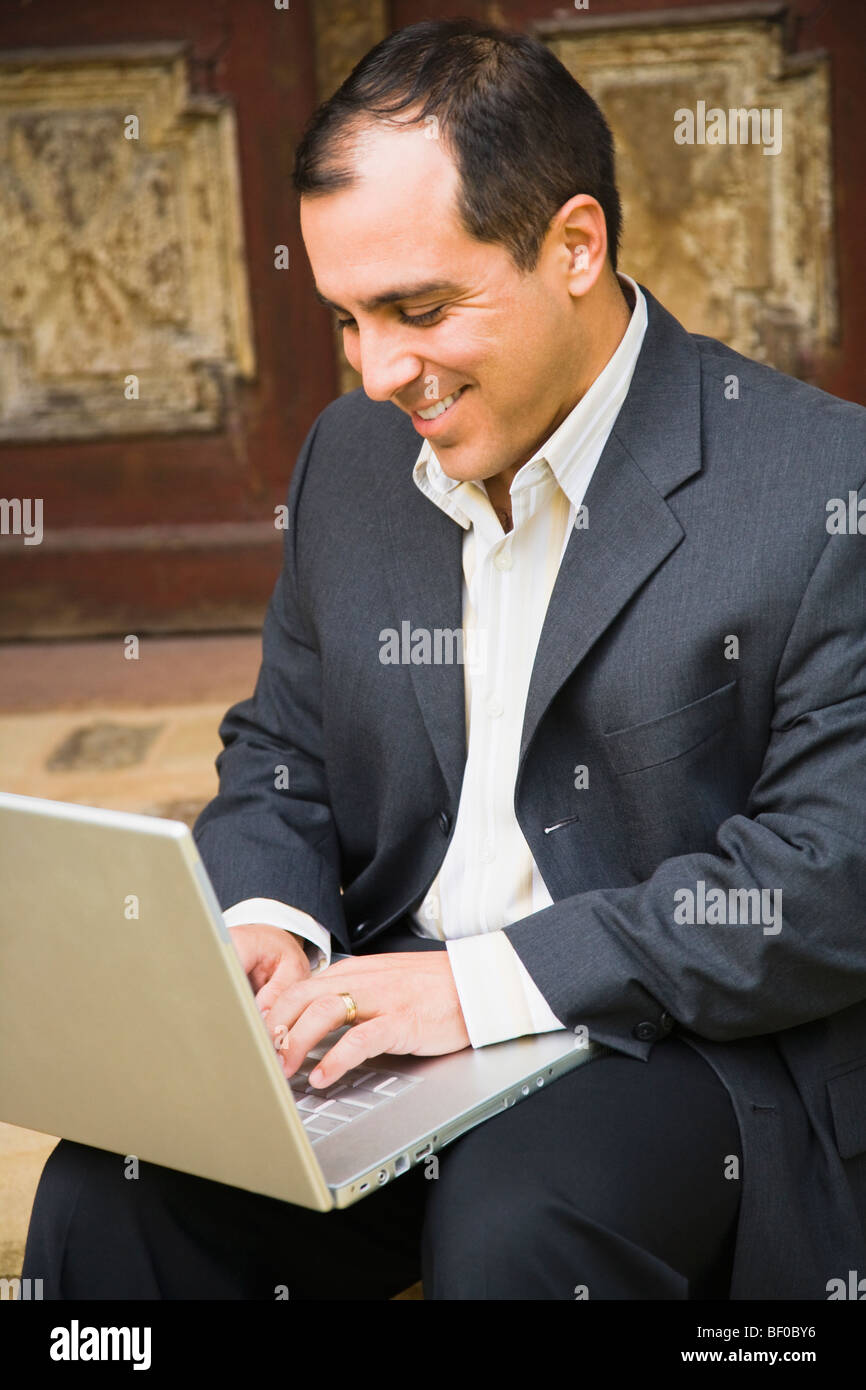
(127, 1024)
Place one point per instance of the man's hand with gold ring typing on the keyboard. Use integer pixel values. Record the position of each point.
(407, 1003)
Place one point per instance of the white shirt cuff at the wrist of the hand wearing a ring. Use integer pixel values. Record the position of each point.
(498, 996)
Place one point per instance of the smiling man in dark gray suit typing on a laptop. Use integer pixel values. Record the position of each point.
(637, 807)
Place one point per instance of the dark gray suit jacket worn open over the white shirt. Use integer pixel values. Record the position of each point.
(707, 521)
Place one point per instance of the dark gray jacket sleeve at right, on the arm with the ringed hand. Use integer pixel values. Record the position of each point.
(619, 961)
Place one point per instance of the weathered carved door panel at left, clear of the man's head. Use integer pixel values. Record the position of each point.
(123, 298)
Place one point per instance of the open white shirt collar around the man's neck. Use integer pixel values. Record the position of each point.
(568, 451)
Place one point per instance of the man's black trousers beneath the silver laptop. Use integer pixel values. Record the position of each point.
(615, 1182)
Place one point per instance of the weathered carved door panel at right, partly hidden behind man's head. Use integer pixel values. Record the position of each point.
(730, 234)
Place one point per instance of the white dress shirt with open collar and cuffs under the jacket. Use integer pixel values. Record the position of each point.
(489, 878)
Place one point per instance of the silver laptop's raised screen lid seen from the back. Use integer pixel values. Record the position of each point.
(126, 1018)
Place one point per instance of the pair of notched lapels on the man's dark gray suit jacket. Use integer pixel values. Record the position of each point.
(655, 445)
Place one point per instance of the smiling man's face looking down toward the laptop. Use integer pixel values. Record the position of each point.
(505, 340)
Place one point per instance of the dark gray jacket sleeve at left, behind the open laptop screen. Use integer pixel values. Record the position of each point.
(270, 833)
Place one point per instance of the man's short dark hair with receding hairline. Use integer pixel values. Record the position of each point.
(525, 134)
